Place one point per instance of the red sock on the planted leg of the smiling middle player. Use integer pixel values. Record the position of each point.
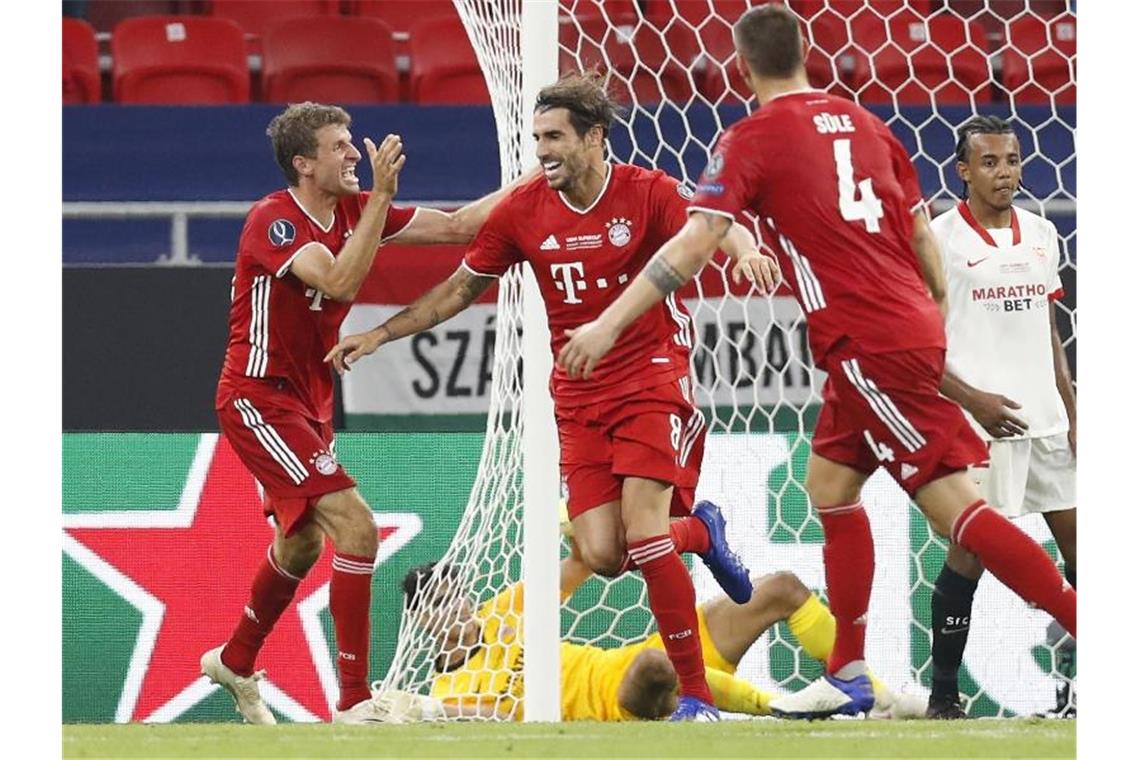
(673, 602)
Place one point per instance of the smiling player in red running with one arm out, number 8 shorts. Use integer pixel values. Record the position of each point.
(632, 438)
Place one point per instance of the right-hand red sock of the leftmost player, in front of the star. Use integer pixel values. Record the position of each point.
(351, 602)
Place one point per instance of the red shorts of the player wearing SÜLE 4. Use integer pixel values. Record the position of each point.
(885, 411)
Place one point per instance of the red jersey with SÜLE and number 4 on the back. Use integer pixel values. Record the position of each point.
(837, 194)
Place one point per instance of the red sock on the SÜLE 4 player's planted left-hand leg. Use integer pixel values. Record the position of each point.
(849, 565)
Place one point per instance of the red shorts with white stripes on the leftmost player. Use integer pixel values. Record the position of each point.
(294, 457)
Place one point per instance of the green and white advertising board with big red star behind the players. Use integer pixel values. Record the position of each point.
(153, 576)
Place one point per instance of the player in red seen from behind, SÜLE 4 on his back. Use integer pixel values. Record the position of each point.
(841, 201)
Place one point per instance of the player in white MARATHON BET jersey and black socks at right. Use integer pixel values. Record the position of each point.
(1007, 367)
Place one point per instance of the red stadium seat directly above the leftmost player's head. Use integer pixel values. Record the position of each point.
(330, 60)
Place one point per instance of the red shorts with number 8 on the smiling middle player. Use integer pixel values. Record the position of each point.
(657, 434)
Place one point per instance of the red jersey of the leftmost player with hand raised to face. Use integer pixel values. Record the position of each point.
(280, 328)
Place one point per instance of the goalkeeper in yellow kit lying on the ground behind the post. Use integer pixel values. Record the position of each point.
(479, 669)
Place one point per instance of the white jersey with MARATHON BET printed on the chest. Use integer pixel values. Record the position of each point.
(999, 284)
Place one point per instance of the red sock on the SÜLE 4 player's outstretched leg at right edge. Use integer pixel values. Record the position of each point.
(1017, 561)
